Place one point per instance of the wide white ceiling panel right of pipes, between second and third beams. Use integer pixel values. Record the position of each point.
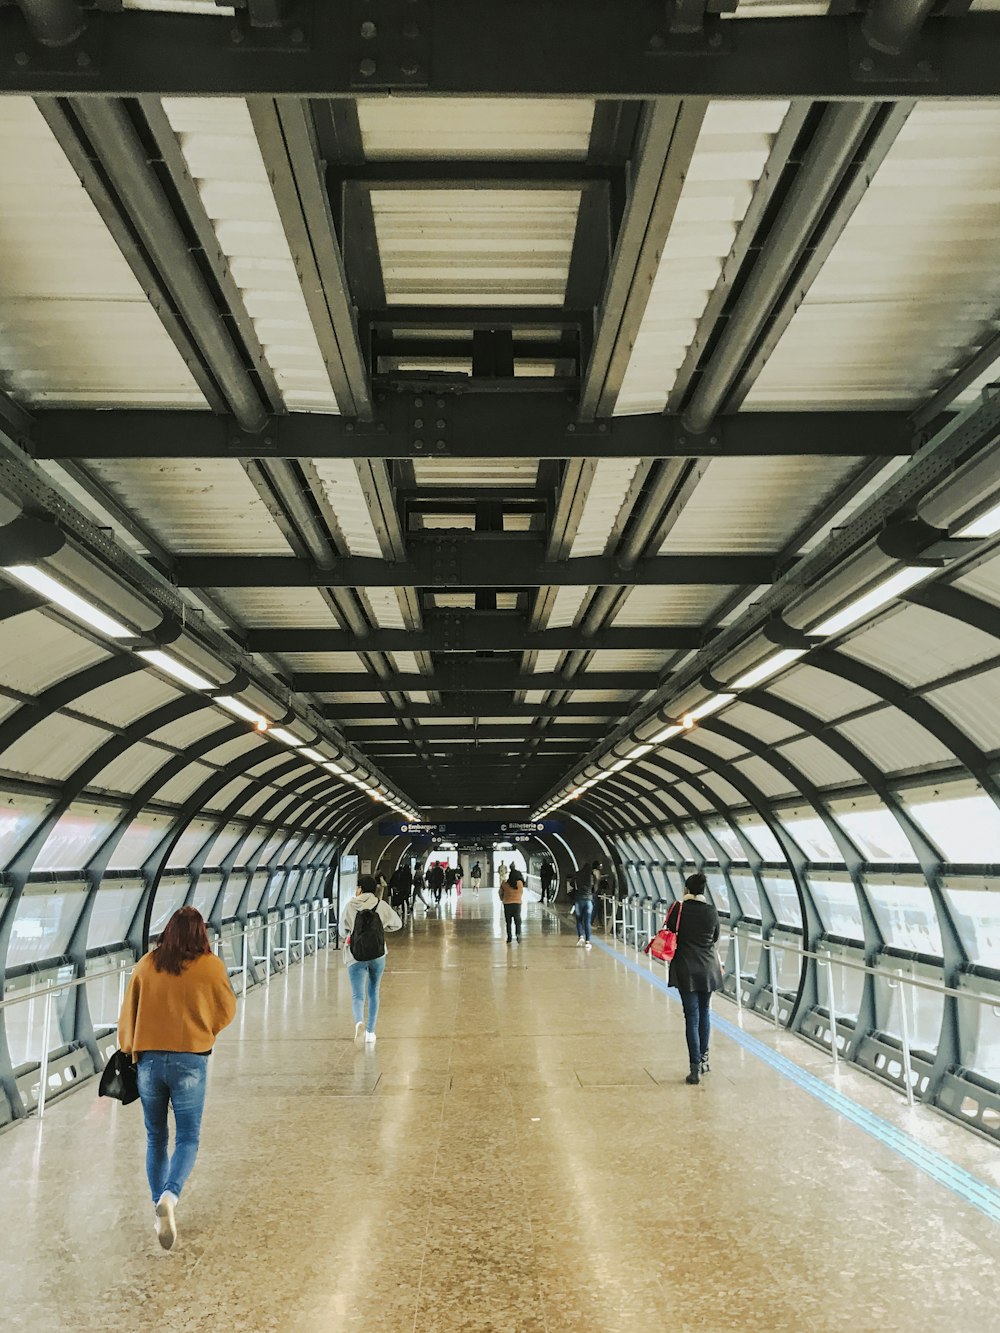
(755, 505)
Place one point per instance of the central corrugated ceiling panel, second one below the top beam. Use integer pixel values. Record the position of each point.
(490, 247)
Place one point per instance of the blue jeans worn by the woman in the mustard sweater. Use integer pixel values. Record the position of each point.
(177, 1079)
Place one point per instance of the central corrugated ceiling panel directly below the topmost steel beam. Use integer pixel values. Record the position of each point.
(475, 127)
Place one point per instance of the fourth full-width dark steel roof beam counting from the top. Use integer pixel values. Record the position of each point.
(473, 633)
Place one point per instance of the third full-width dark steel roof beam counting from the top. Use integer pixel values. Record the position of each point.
(473, 565)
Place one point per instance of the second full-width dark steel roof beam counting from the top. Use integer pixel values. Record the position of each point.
(417, 426)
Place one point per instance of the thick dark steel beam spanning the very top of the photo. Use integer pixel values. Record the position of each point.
(521, 49)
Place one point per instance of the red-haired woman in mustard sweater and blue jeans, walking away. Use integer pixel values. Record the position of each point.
(178, 1002)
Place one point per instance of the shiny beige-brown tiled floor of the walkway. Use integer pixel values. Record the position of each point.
(519, 1154)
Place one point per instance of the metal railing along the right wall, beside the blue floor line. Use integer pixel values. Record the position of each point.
(826, 959)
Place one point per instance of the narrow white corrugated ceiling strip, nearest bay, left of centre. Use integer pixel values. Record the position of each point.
(222, 153)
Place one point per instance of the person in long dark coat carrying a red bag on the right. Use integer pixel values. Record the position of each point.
(695, 970)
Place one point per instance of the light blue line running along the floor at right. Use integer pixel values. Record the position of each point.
(934, 1164)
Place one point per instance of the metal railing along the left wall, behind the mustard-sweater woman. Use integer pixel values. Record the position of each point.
(321, 928)
